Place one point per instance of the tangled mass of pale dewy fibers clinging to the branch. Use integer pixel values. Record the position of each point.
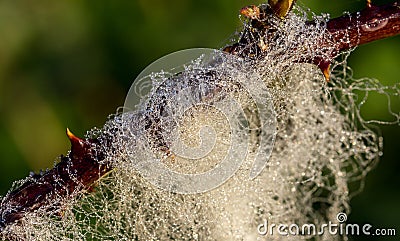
(322, 147)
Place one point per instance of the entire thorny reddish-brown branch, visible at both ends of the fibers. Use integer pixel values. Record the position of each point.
(84, 165)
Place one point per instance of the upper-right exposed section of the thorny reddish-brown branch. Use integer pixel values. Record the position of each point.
(344, 33)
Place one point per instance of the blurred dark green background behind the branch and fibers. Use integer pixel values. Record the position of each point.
(71, 63)
